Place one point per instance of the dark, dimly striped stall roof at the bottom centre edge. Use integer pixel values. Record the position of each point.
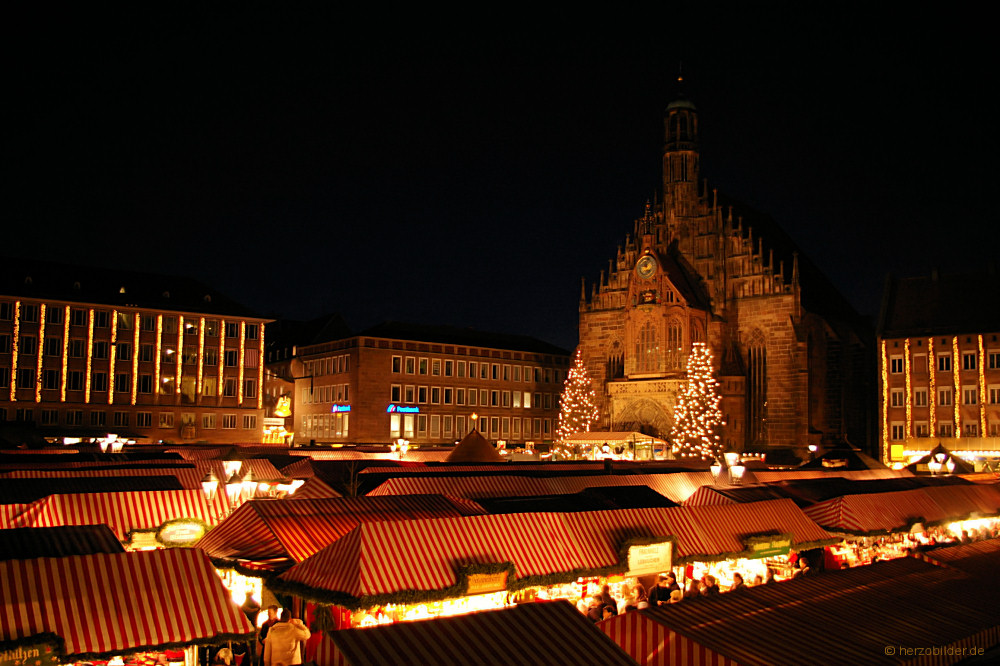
(541, 633)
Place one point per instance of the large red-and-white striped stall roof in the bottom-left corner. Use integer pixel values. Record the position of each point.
(107, 604)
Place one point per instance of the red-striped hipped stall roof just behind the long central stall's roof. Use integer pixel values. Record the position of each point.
(274, 534)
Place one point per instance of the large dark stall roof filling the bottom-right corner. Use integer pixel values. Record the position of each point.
(835, 617)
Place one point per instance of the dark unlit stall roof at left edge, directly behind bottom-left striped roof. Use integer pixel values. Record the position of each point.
(27, 543)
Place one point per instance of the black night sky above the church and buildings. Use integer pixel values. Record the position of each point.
(411, 168)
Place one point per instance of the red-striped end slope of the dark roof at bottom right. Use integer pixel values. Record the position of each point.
(650, 643)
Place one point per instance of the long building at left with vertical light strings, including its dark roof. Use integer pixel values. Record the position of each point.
(88, 352)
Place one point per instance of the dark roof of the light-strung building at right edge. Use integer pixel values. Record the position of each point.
(939, 304)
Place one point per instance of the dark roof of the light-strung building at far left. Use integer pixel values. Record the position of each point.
(105, 285)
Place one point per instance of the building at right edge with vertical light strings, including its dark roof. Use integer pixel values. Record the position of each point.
(939, 367)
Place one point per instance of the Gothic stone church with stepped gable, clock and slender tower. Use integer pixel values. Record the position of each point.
(792, 357)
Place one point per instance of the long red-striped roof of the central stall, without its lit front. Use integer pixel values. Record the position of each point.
(382, 562)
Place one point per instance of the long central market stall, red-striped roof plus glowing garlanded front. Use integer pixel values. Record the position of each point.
(389, 572)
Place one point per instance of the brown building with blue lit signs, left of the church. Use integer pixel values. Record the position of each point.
(429, 385)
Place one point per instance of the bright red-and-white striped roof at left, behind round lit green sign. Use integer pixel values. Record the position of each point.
(123, 512)
